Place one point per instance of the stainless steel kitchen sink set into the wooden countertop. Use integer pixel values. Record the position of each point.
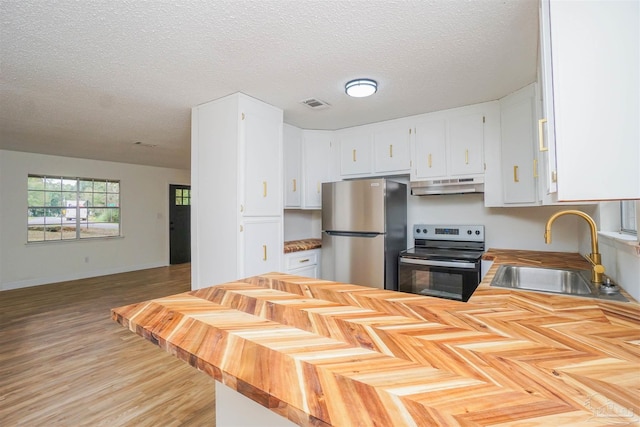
(553, 280)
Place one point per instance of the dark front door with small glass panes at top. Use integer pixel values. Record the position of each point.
(179, 223)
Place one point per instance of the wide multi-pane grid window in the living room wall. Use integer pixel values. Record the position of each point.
(63, 208)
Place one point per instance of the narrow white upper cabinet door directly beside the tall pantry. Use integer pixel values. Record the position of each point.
(292, 149)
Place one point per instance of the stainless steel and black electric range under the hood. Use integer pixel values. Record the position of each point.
(444, 262)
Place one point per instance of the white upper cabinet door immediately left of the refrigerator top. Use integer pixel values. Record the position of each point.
(316, 166)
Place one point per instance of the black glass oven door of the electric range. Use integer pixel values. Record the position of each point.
(445, 279)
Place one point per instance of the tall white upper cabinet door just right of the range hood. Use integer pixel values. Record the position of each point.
(519, 178)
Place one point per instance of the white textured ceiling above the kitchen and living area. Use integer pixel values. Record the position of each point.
(89, 78)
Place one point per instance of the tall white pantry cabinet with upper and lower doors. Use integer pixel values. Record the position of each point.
(236, 185)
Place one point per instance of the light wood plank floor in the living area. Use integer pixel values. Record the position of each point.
(64, 362)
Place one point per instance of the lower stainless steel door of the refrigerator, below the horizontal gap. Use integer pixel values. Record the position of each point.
(354, 259)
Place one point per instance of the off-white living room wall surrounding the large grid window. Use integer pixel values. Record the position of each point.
(145, 221)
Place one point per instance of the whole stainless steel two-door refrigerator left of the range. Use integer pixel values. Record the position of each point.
(364, 228)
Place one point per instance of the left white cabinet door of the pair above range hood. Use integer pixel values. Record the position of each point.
(430, 149)
